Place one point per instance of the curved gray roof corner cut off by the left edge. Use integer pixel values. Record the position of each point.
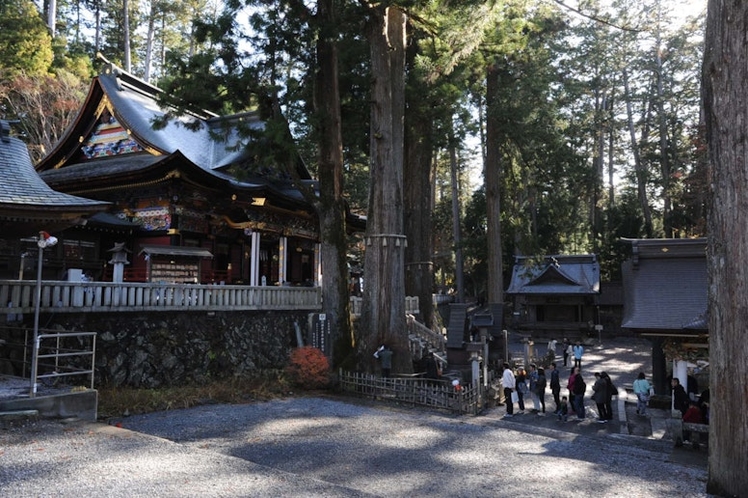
(23, 188)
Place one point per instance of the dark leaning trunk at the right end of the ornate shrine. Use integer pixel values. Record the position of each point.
(335, 292)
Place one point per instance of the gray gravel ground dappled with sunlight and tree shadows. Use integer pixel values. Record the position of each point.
(325, 446)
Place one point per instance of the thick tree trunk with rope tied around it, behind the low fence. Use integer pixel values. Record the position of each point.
(383, 315)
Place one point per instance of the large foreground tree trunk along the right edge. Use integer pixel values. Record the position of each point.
(725, 97)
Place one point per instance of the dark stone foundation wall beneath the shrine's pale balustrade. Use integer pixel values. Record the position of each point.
(175, 348)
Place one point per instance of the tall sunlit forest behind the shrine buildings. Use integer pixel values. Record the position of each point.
(596, 107)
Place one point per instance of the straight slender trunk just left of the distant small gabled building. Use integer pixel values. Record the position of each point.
(493, 177)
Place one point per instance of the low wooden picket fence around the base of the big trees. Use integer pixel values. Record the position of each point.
(441, 394)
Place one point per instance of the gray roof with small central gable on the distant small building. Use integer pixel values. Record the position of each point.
(556, 275)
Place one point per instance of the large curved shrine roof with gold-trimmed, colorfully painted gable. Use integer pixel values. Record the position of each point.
(113, 140)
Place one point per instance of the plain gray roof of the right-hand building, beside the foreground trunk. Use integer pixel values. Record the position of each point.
(665, 285)
